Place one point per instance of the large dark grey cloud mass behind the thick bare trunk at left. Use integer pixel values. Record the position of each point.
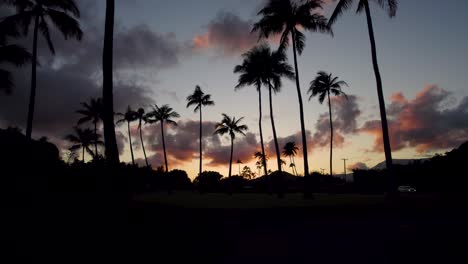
(74, 74)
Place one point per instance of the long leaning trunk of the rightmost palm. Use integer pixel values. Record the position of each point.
(383, 114)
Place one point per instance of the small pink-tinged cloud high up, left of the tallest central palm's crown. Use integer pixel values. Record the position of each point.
(228, 34)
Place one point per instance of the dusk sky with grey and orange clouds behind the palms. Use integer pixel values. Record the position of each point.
(164, 48)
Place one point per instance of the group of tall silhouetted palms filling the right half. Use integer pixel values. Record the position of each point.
(289, 19)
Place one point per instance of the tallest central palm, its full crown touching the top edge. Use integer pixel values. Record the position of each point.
(287, 18)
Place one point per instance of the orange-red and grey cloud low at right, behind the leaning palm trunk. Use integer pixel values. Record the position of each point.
(430, 121)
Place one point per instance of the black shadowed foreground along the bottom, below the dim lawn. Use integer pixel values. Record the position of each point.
(97, 229)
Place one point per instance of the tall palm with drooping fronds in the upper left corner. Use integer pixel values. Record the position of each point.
(41, 13)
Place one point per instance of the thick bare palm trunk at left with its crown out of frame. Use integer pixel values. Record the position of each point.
(112, 152)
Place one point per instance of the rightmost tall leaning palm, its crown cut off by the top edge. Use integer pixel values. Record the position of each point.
(391, 7)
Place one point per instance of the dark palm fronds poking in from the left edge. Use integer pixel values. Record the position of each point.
(10, 54)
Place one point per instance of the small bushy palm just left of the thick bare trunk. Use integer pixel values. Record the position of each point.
(83, 138)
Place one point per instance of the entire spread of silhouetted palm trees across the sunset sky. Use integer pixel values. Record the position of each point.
(288, 19)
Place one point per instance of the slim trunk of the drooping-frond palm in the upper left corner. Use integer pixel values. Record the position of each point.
(32, 95)
